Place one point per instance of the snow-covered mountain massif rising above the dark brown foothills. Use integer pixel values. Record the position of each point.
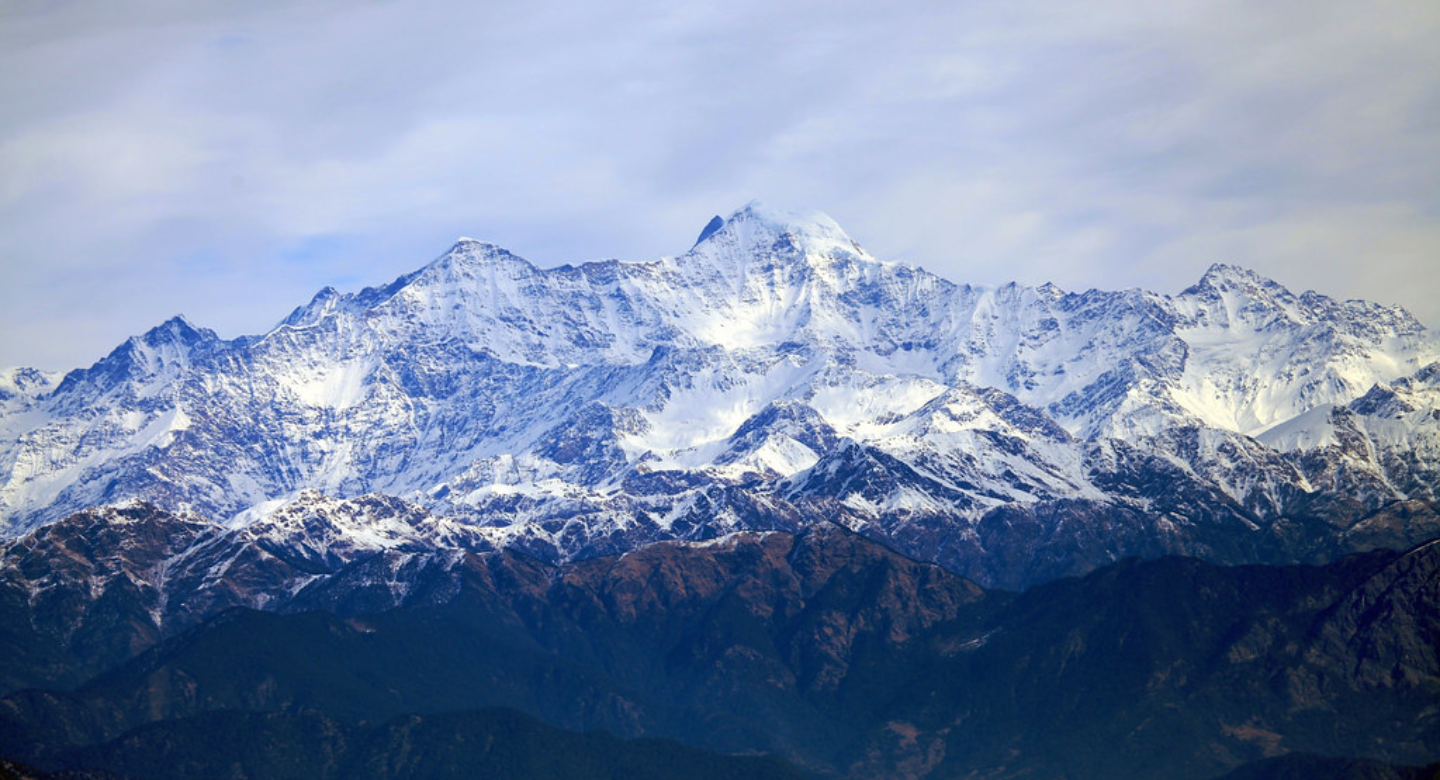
(773, 376)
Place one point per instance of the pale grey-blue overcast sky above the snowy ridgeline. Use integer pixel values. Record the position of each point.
(228, 162)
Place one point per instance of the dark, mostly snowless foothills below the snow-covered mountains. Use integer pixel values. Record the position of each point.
(820, 648)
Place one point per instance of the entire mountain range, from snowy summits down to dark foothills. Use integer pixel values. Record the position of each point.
(770, 496)
